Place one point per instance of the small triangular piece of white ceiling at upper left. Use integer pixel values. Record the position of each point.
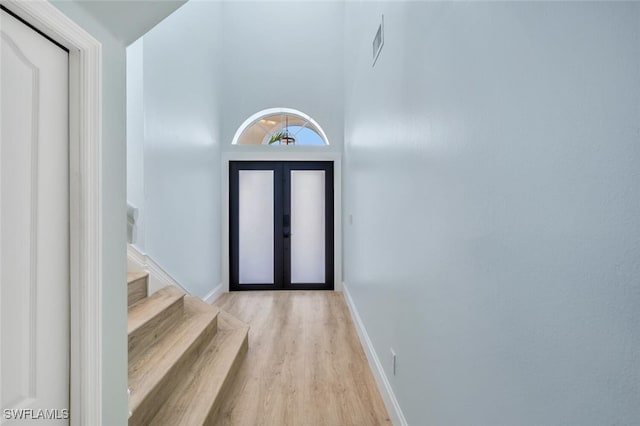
(129, 20)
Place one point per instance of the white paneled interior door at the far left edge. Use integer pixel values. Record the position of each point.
(34, 227)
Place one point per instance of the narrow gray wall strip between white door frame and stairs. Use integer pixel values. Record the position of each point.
(114, 291)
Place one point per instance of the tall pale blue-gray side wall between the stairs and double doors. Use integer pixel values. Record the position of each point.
(182, 145)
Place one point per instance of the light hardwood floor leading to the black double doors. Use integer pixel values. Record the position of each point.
(305, 364)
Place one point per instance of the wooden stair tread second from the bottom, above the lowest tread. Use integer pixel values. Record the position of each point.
(198, 326)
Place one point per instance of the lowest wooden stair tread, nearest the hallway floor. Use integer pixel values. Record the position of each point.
(197, 397)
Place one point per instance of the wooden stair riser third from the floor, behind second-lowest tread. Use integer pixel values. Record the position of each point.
(155, 329)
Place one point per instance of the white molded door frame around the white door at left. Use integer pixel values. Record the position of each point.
(85, 159)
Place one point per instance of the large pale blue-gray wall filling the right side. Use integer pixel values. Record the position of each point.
(491, 170)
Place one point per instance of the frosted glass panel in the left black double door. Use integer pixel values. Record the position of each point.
(255, 226)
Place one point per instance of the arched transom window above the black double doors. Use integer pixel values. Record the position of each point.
(280, 126)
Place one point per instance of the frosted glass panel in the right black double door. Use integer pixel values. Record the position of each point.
(307, 226)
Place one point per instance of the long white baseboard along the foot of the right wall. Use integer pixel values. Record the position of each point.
(390, 401)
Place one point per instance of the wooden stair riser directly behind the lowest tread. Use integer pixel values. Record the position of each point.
(149, 406)
